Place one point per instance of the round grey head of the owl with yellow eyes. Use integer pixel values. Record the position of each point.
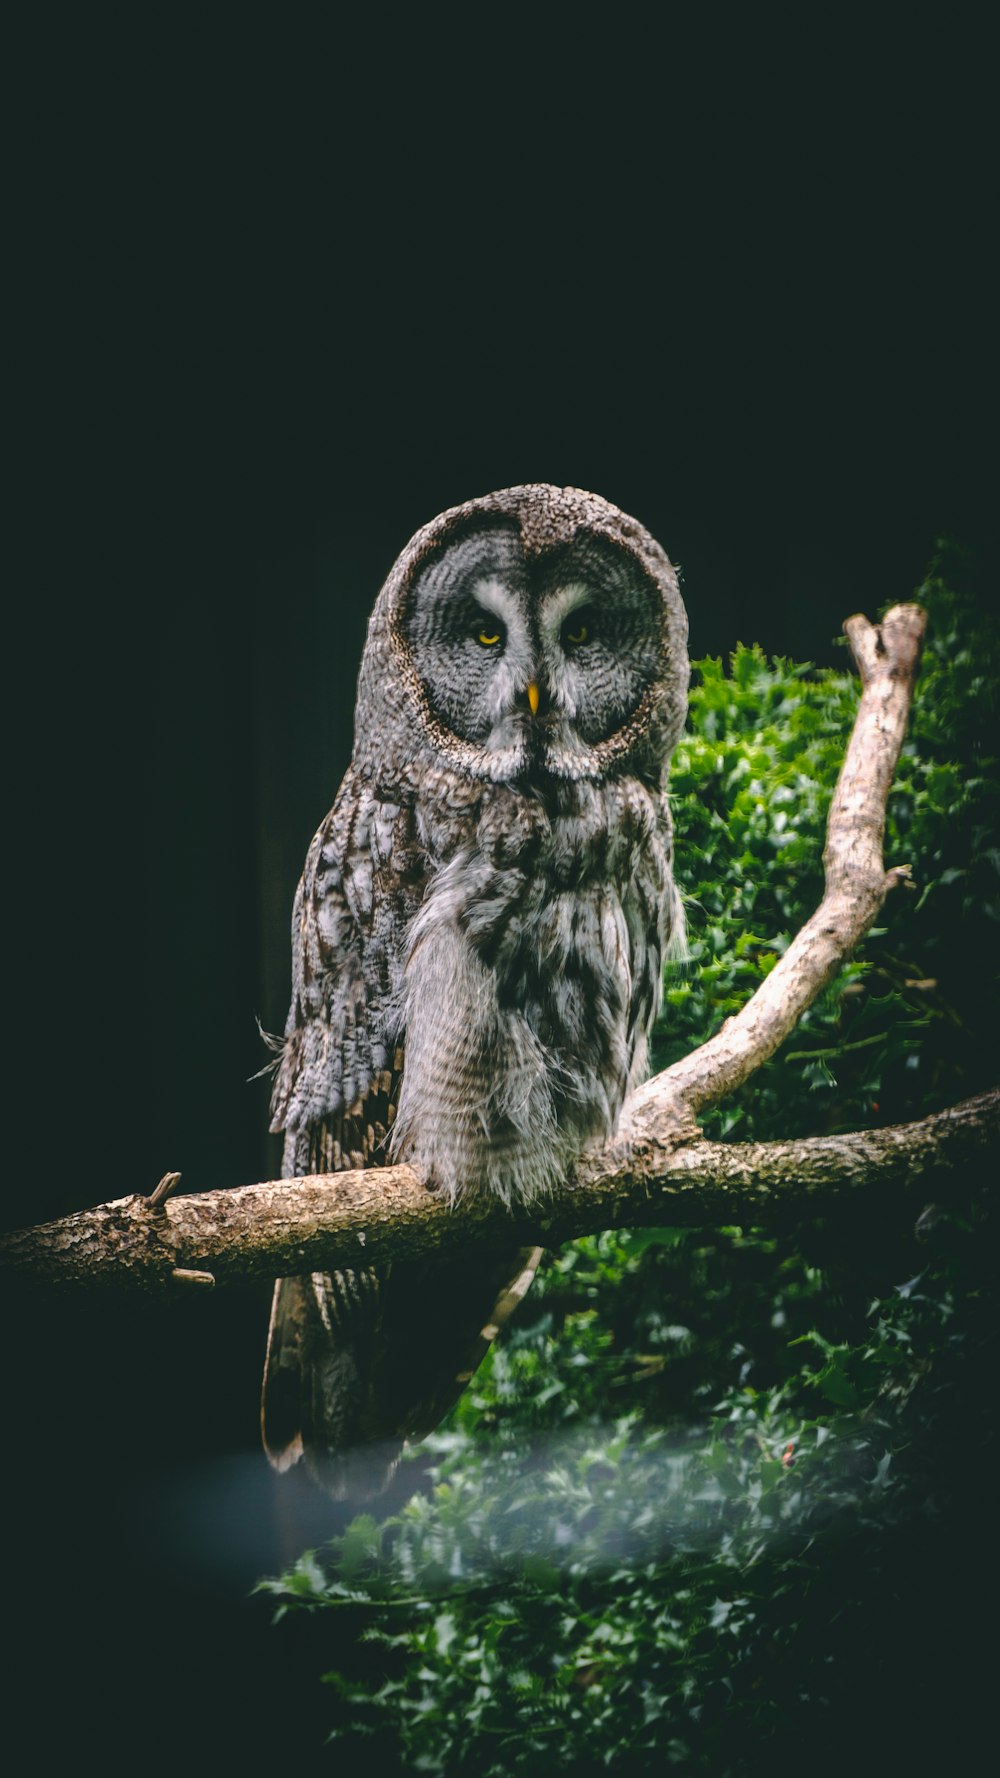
(535, 634)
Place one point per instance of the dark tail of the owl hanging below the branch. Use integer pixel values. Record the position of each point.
(362, 1361)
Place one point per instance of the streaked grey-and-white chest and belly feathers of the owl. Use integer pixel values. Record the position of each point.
(531, 982)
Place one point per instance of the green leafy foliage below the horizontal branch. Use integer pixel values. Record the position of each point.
(629, 1512)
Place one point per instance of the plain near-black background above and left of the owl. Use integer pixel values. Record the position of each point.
(280, 303)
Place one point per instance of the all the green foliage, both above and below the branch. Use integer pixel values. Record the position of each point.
(691, 1510)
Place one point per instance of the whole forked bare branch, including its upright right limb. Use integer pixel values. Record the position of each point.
(657, 1173)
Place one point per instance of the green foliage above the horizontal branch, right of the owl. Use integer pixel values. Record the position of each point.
(899, 1032)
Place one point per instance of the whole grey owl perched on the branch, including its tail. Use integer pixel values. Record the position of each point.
(478, 938)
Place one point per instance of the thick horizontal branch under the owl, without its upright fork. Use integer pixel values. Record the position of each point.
(387, 1213)
